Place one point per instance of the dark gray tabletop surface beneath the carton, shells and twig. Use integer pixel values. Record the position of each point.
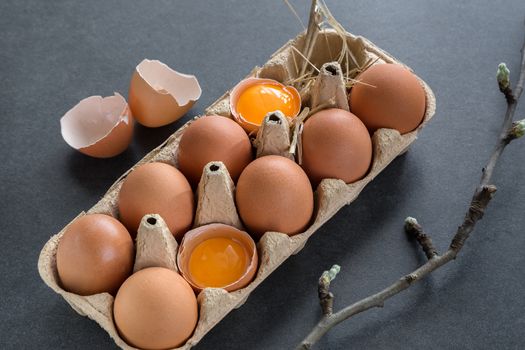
(53, 54)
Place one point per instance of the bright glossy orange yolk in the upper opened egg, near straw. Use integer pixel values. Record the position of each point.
(260, 99)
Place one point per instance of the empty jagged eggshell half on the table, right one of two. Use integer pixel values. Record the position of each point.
(158, 95)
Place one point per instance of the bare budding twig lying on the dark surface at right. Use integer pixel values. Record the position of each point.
(480, 200)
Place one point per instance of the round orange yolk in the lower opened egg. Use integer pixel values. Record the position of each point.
(218, 262)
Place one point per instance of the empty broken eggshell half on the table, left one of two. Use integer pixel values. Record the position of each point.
(100, 127)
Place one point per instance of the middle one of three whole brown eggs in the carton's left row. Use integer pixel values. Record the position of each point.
(157, 188)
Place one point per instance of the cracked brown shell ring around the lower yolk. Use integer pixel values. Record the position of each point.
(200, 234)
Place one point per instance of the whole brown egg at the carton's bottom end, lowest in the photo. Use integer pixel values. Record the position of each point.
(155, 309)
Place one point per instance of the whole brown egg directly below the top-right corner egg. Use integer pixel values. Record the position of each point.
(336, 145)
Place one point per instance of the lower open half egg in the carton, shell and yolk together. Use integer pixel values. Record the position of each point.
(218, 256)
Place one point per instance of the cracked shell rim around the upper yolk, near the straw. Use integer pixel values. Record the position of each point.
(236, 92)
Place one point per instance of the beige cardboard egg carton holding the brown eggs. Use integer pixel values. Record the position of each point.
(156, 247)
